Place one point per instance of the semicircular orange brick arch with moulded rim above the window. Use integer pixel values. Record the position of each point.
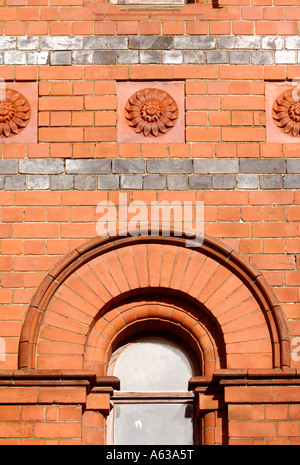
(89, 284)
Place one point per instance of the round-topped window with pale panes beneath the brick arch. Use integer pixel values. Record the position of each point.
(153, 406)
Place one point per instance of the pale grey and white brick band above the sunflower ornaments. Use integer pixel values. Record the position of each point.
(112, 50)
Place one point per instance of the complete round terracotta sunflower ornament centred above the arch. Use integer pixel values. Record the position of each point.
(151, 112)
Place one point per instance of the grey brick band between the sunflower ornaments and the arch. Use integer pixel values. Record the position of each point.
(175, 174)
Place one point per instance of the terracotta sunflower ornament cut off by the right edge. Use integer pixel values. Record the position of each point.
(286, 112)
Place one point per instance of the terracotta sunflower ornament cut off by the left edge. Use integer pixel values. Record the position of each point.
(14, 113)
